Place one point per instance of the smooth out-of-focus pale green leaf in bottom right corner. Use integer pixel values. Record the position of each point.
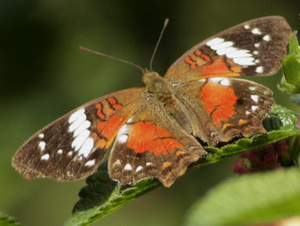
(250, 199)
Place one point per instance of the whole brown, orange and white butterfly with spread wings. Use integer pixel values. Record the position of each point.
(155, 131)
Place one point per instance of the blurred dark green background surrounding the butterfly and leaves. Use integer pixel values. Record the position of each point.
(43, 75)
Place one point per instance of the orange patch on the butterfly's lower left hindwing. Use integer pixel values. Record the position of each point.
(147, 136)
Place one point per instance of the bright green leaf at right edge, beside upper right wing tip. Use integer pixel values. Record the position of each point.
(290, 82)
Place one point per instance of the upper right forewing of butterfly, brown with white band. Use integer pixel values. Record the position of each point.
(253, 48)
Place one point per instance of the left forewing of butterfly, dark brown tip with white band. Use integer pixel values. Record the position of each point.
(73, 146)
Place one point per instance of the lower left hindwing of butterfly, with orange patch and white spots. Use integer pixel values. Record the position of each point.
(150, 144)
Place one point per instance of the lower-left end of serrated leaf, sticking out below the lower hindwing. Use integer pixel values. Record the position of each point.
(102, 196)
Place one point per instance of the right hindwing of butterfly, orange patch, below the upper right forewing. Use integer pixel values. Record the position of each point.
(225, 108)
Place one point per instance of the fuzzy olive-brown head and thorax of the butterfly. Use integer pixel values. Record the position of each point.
(157, 85)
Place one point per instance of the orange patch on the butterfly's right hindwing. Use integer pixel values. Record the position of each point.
(218, 101)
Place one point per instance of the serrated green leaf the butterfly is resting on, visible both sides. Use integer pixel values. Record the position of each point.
(102, 196)
